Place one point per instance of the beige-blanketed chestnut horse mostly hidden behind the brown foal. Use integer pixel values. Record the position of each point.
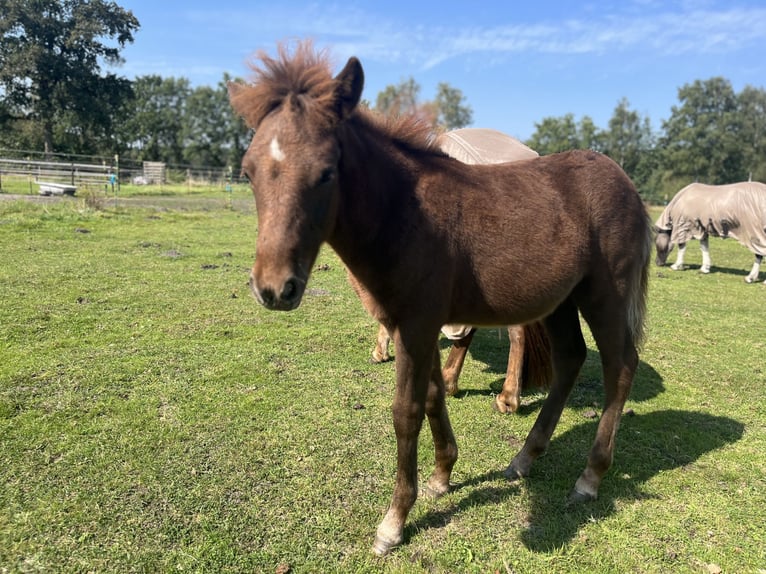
(529, 360)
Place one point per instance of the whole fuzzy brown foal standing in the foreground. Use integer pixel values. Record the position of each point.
(435, 241)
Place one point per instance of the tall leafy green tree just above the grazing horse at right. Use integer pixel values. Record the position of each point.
(700, 139)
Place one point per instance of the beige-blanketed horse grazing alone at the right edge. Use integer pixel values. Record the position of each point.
(698, 211)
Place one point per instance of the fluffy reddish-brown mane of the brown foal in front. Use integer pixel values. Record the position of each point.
(304, 75)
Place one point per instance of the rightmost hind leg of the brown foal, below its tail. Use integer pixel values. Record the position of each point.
(619, 359)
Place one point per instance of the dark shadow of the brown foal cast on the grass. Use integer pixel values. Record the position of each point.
(646, 446)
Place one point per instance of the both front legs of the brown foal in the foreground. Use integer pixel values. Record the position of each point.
(419, 391)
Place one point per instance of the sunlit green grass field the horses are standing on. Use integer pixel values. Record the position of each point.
(153, 418)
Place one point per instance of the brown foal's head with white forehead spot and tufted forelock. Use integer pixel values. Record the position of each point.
(295, 106)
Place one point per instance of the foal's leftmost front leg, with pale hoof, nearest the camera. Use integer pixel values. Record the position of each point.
(414, 365)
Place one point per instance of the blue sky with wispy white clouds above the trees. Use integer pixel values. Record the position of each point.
(516, 62)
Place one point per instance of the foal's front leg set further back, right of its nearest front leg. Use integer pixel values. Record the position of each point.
(445, 446)
